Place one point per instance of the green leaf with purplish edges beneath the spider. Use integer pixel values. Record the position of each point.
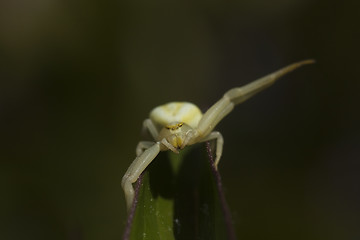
(179, 199)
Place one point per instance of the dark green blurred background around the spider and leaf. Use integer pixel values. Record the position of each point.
(79, 77)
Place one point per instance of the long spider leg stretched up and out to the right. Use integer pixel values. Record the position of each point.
(238, 95)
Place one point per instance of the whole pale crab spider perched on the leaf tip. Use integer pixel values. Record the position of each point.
(176, 125)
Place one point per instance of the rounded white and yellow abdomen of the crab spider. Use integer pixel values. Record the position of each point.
(176, 112)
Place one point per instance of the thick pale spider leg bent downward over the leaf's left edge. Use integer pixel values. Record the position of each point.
(135, 169)
